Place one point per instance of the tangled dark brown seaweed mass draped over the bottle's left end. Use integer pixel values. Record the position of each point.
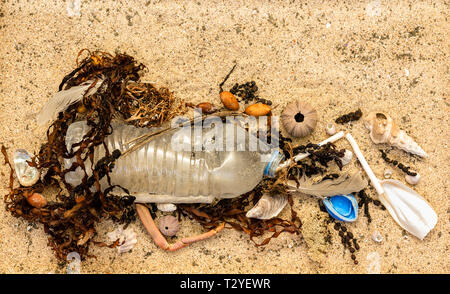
(70, 220)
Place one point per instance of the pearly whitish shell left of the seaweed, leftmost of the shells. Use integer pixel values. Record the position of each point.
(26, 174)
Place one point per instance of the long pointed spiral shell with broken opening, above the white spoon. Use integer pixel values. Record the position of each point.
(384, 130)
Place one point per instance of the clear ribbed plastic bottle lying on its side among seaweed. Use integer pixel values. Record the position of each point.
(186, 175)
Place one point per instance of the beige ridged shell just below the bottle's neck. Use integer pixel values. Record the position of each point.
(268, 206)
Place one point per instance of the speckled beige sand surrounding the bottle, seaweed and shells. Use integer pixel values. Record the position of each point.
(391, 57)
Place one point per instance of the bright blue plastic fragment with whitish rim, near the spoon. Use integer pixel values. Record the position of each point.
(342, 207)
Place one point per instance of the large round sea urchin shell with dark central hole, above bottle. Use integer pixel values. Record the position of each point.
(299, 119)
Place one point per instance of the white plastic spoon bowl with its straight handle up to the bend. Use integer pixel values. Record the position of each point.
(409, 209)
